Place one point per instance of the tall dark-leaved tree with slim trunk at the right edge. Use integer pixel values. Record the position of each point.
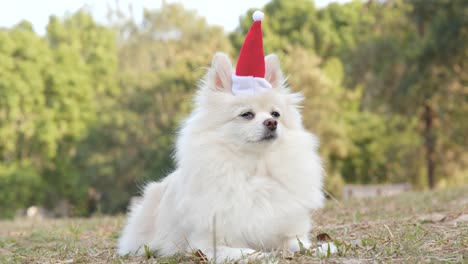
(412, 69)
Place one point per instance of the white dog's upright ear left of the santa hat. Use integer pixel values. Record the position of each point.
(221, 72)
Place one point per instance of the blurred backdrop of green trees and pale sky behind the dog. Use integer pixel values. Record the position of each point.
(91, 92)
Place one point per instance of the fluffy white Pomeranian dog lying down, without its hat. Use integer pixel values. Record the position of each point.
(260, 191)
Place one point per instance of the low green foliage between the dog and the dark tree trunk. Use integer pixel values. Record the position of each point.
(378, 154)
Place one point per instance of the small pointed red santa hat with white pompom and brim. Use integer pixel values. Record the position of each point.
(250, 70)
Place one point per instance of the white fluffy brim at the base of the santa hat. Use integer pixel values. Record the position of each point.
(249, 85)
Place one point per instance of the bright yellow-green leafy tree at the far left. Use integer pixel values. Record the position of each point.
(50, 91)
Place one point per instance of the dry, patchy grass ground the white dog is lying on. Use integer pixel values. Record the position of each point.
(416, 227)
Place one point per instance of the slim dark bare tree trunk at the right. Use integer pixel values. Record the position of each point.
(429, 144)
